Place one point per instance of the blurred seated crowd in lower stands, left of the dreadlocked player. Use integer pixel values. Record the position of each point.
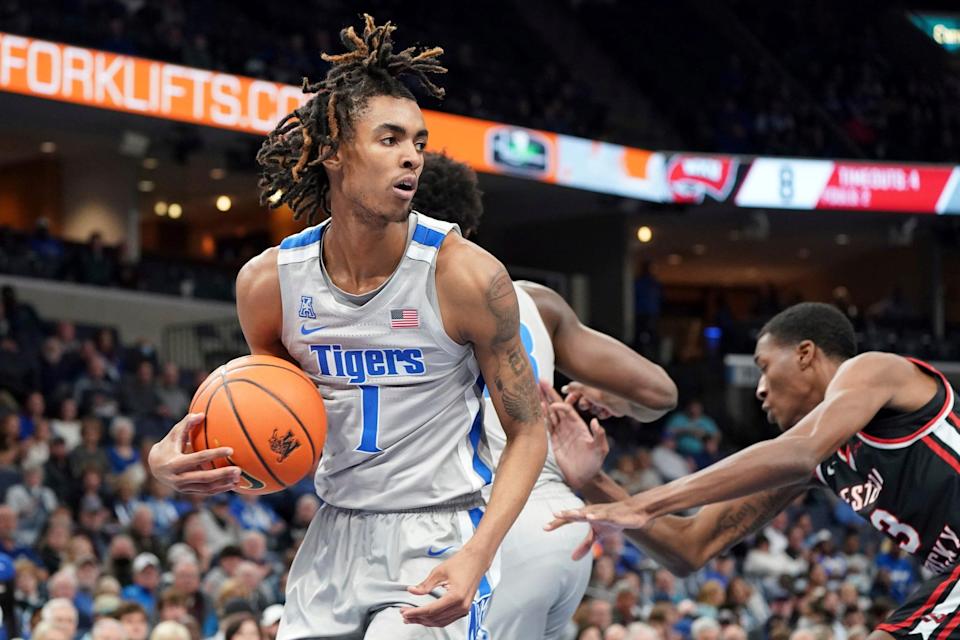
(86, 535)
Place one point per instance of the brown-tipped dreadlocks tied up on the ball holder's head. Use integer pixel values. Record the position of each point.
(290, 158)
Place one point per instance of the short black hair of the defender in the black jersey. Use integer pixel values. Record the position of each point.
(823, 324)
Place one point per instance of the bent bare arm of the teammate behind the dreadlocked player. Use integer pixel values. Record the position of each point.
(629, 383)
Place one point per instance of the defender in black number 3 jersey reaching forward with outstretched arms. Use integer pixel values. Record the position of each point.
(878, 429)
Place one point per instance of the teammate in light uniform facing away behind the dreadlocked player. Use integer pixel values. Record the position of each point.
(540, 586)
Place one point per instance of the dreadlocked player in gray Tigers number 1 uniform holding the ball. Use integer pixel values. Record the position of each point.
(399, 321)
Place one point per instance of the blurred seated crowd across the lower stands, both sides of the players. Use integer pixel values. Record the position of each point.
(92, 547)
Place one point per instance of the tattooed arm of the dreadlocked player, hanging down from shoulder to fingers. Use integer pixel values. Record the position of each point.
(479, 307)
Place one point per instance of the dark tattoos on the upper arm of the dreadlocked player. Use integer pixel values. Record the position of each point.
(515, 382)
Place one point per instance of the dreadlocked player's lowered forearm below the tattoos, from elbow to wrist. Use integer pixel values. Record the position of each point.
(520, 465)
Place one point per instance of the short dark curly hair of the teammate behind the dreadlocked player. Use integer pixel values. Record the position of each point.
(447, 190)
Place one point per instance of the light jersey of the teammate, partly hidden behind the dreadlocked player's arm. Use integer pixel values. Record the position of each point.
(536, 341)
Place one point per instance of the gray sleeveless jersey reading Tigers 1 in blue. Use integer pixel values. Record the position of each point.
(404, 401)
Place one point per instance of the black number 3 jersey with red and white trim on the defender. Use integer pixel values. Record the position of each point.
(902, 473)
